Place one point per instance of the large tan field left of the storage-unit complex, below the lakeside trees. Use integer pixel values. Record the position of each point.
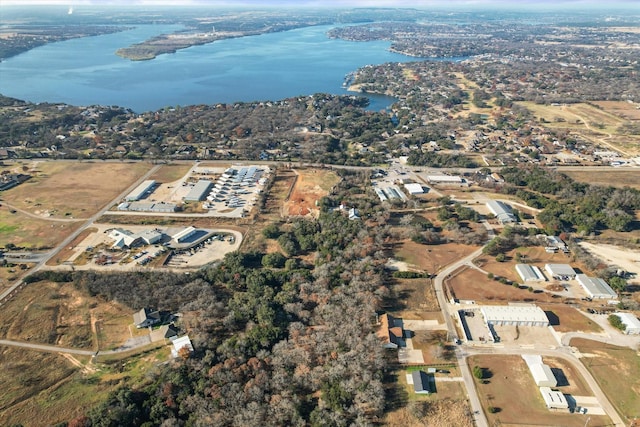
(73, 189)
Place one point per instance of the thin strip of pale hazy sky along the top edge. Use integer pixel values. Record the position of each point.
(328, 3)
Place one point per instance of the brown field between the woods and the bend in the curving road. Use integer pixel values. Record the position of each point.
(431, 258)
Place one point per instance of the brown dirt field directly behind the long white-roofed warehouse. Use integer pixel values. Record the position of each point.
(471, 284)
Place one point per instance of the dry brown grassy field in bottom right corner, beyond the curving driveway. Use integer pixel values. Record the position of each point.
(617, 371)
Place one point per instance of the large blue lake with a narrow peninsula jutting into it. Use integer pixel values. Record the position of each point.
(274, 66)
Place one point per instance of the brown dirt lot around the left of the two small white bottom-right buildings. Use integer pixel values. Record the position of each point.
(511, 389)
